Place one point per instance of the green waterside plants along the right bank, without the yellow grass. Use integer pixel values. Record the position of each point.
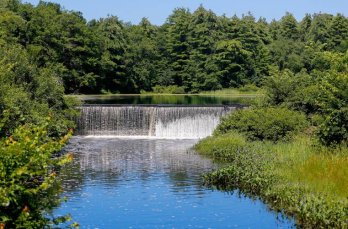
(257, 170)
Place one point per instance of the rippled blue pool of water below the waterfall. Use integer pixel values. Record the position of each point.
(149, 183)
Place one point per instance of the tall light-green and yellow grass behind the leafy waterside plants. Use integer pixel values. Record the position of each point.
(319, 169)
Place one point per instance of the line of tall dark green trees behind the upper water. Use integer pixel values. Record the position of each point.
(194, 51)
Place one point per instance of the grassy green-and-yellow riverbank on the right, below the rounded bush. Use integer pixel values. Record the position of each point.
(299, 178)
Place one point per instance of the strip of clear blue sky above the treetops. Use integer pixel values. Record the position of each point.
(158, 10)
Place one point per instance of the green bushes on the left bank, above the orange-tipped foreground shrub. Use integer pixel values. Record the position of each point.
(29, 94)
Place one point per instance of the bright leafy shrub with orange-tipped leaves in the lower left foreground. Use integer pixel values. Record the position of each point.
(28, 170)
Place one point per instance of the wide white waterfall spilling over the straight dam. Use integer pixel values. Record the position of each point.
(152, 121)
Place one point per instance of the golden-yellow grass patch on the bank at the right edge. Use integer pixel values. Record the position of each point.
(319, 172)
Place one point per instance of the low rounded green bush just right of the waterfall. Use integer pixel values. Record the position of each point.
(264, 123)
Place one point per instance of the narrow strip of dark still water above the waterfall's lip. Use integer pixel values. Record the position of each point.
(166, 99)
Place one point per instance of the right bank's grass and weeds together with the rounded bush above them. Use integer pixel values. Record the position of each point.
(269, 157)
